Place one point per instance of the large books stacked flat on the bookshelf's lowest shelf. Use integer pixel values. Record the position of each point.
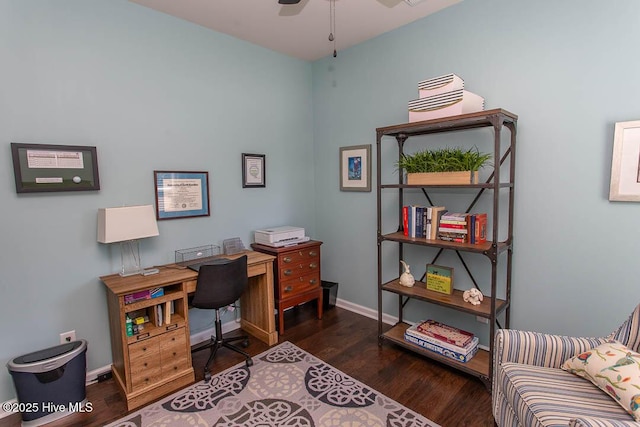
(444, 340)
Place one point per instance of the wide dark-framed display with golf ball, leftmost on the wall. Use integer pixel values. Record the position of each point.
(45, 168)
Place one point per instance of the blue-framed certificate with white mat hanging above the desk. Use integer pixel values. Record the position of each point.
(181, 194)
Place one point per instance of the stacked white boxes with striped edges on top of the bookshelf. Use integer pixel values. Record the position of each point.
(441, 97)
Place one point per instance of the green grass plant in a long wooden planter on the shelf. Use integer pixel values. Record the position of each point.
(443, 166)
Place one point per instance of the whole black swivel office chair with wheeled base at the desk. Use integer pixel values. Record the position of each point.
(219, 285)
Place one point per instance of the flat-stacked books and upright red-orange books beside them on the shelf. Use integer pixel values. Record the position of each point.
(463, 227)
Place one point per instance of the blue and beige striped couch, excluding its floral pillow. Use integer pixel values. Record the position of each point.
(530, 389)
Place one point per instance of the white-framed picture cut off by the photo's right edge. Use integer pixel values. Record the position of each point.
(625, 164)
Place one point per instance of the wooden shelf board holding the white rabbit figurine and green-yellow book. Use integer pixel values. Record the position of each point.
(419, 291)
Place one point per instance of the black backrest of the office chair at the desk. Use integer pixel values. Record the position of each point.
(220, 284)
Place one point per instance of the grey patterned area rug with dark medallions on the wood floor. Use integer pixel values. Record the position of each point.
(286, 386)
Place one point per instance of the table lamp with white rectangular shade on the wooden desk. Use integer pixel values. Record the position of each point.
(126, 225)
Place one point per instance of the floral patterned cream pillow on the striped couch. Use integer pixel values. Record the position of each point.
(615, 369)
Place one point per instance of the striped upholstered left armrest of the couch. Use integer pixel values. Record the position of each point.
(538, 349)
